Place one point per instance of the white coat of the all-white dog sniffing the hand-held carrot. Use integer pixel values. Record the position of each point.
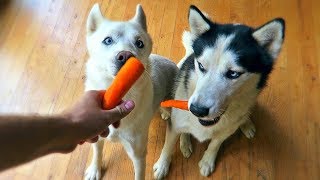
(147, 93)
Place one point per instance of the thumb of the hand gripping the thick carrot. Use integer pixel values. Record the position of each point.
(119, 112)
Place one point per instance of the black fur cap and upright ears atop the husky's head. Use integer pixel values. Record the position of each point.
(256, 49)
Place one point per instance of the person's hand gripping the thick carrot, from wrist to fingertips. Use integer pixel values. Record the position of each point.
(88, 119)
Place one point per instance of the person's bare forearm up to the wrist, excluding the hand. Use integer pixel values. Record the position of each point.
(24, 138)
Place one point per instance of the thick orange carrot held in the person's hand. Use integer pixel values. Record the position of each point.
(124, 80)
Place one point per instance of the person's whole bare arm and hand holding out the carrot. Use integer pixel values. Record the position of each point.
(24, 138)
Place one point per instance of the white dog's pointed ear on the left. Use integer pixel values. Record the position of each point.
(95, 18)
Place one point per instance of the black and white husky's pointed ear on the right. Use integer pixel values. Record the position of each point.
(271, 36)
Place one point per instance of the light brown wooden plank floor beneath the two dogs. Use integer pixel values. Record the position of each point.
(42, 56)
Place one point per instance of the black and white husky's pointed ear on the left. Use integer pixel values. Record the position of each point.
(198, 22)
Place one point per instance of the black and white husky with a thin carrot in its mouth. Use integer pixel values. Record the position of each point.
(225, 68)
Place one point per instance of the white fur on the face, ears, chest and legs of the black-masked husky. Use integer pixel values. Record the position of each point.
(235, 97)
